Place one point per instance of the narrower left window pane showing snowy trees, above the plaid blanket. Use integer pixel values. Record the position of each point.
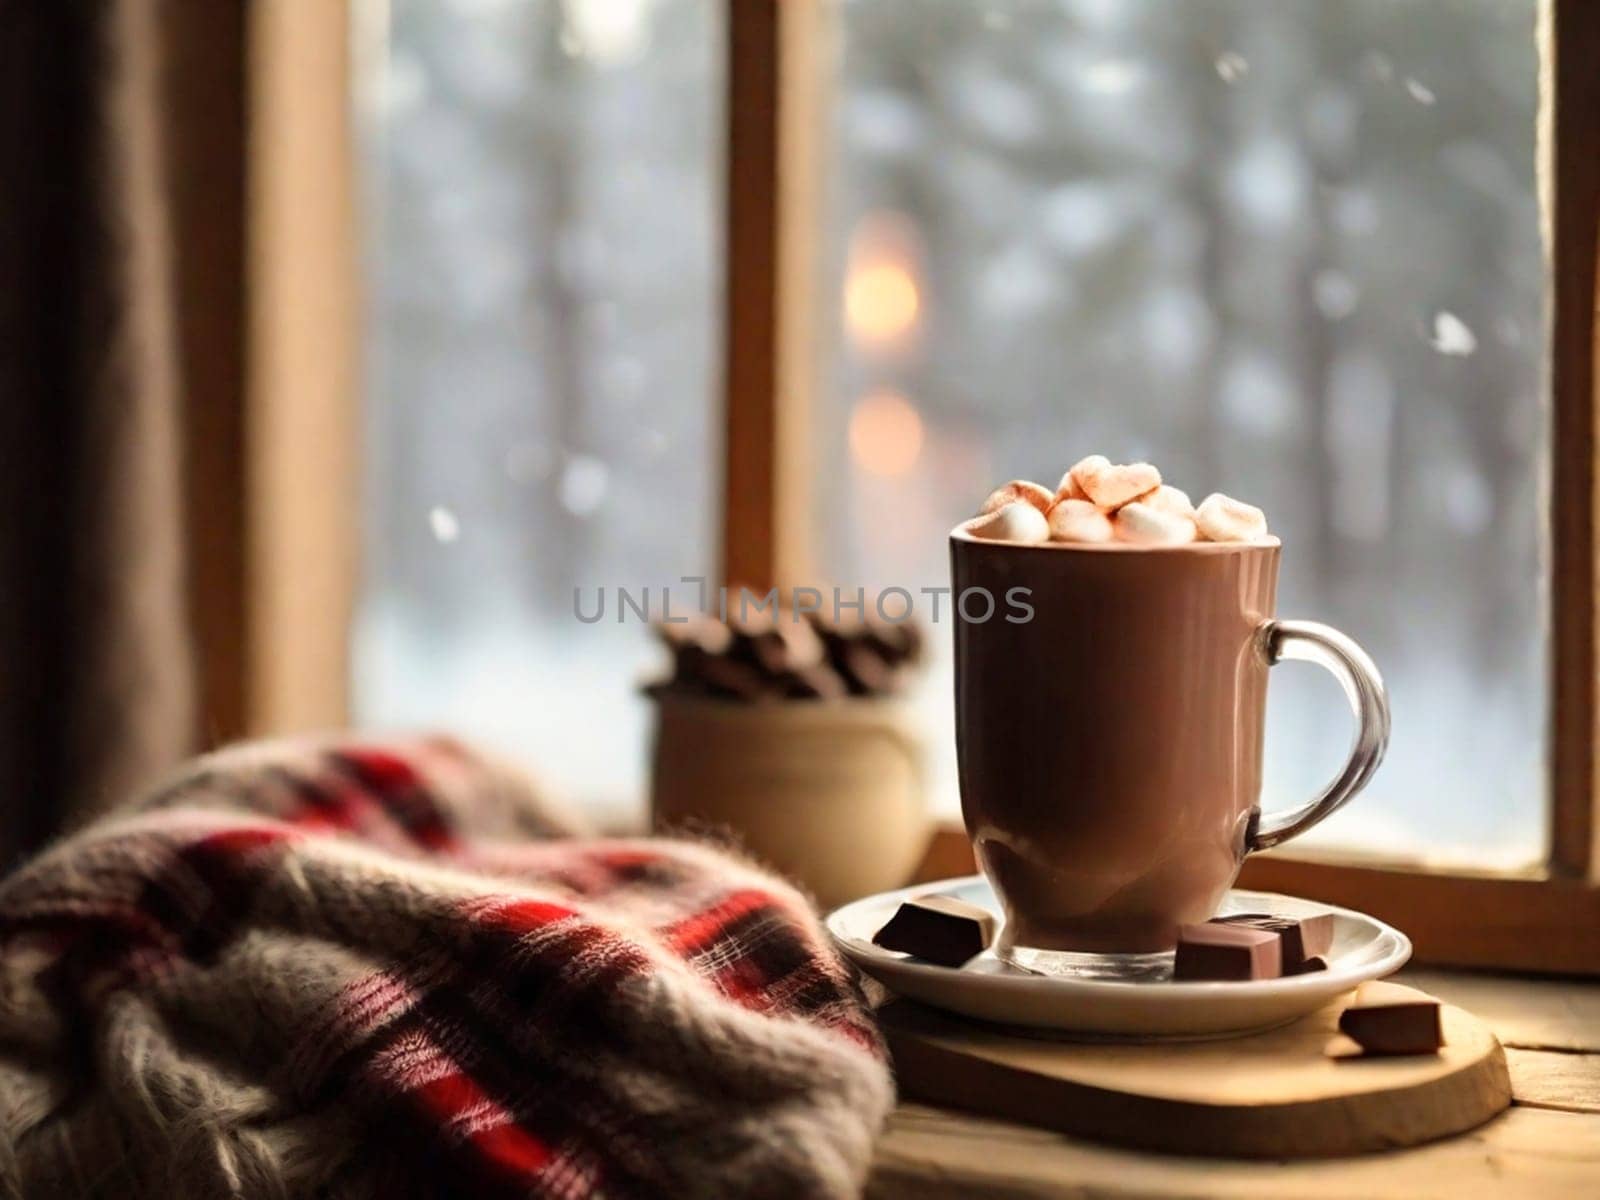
(543, 183)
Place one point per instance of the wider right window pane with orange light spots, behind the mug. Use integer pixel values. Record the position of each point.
(1286, 250)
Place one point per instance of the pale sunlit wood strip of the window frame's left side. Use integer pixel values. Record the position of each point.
(303, 367)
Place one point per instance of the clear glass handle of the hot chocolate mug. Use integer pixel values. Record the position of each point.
(1364, 687)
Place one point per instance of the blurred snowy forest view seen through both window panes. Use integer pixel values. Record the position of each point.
(1286, 249)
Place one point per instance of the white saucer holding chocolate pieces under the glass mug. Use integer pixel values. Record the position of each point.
(1364, 950)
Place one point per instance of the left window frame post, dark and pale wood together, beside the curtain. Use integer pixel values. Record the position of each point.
(265, 190)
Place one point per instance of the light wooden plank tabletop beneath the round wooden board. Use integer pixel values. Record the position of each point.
(1546, 1145)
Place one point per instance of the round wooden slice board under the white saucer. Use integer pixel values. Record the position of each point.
(1271, 1095)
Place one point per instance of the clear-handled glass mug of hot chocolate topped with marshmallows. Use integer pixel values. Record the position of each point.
(1111, 738)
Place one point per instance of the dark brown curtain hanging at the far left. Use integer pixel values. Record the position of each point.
(95, 657)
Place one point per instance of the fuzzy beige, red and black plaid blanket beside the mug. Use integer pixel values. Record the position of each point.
(351, 970)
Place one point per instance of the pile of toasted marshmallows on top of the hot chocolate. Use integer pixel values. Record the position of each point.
(1103, 502)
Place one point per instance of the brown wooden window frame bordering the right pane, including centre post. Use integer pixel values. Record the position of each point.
(1542, 921)
